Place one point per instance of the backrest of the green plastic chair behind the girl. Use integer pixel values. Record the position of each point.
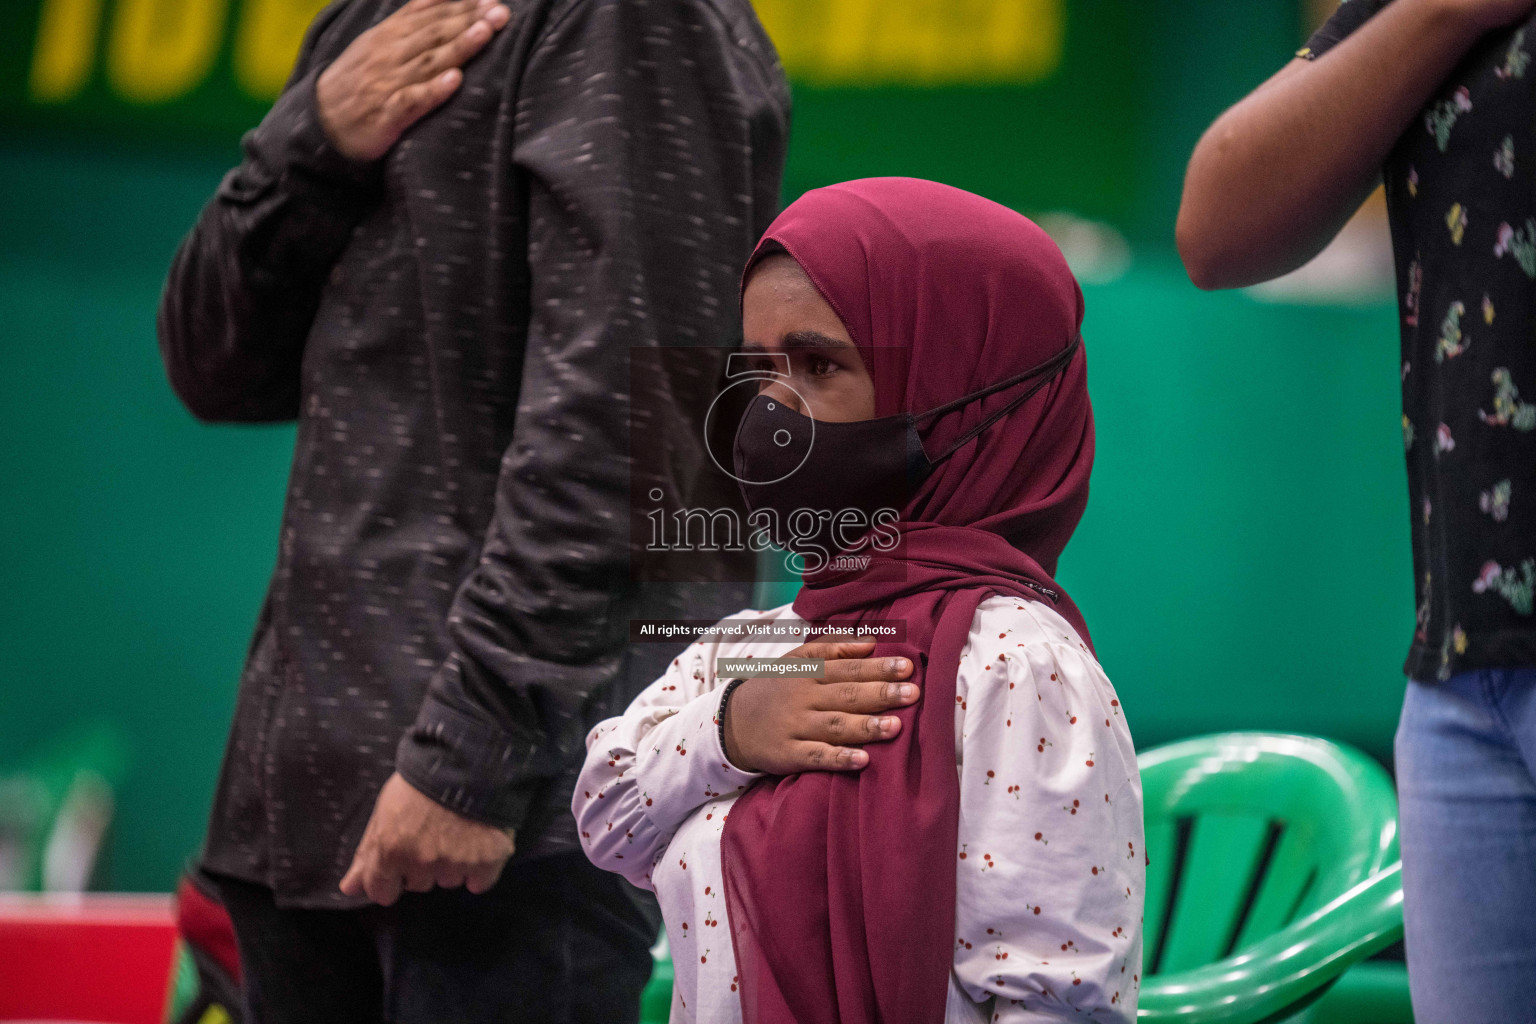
(1250, 831)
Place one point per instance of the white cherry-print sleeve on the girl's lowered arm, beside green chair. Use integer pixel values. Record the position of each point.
(1051, 865)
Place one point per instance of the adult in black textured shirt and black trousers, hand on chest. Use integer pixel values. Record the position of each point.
(443, 245)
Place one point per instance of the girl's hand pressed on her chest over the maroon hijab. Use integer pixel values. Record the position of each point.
(796, 725)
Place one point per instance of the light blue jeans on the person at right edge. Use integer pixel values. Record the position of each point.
(1466, 758)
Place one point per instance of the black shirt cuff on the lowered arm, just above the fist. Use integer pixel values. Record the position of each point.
(471, 768)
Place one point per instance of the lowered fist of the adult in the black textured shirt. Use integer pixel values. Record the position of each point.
(414, 844)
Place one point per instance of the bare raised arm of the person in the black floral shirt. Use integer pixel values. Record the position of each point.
(1277, 176)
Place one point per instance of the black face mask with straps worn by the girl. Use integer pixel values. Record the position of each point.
(846, 474)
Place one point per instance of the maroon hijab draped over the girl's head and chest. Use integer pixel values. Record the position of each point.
(841, 888)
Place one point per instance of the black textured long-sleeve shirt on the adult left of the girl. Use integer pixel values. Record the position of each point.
(452, 329)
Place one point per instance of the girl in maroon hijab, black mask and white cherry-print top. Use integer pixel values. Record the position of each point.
(975, 854)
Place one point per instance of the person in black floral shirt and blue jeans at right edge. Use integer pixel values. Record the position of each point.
(1435, 99)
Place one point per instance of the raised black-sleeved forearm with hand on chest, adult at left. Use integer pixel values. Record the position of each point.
(247, 283)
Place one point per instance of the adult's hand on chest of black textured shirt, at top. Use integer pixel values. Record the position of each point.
(400, 71)
